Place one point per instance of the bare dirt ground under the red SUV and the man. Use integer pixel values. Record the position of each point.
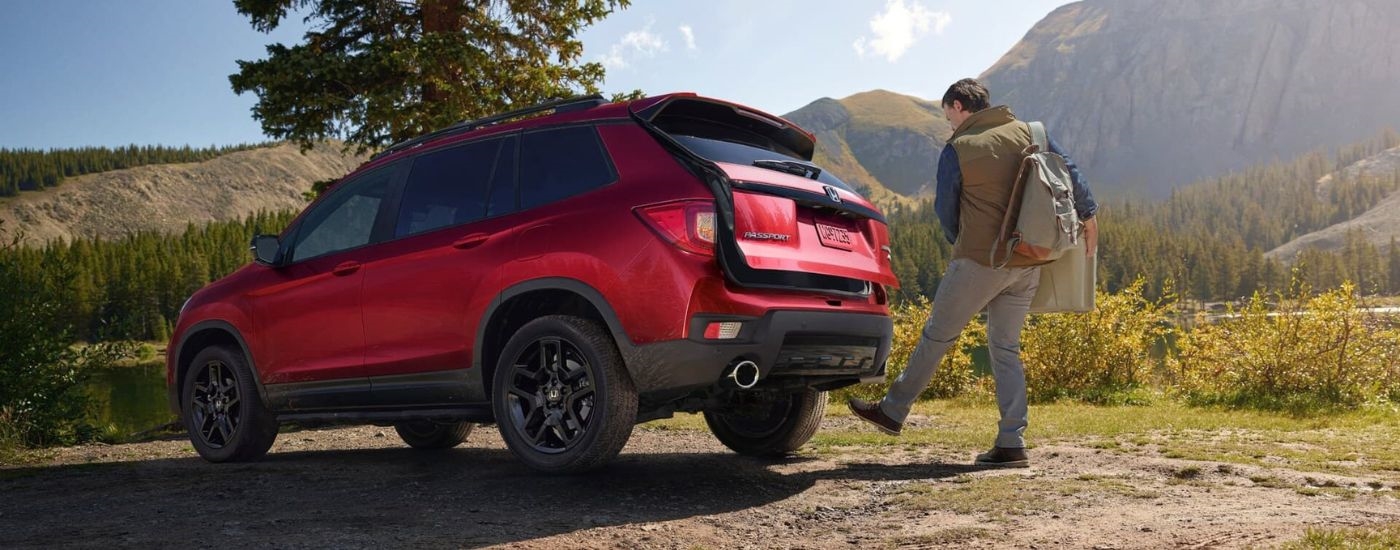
(671, 489)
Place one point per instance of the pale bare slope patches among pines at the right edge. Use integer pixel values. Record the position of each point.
(1378, 225)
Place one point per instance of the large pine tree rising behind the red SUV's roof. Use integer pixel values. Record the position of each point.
(381, 72)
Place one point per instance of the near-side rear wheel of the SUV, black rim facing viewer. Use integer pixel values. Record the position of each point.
(562, 397)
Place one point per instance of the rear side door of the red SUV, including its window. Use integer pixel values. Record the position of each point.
(444, 260)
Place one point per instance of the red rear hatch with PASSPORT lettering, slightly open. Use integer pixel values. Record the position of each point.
(782, 222)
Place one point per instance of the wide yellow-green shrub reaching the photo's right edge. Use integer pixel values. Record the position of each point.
(1315, 352)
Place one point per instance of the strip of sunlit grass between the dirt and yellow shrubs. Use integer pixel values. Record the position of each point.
(1350, 443)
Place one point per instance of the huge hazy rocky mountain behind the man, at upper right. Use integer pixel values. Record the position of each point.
(1150, 94)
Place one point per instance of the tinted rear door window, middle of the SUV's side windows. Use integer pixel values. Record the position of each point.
(447, 188)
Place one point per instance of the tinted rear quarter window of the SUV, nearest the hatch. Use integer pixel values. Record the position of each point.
(562, 163)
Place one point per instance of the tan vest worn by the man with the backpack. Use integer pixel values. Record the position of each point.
(989, 148)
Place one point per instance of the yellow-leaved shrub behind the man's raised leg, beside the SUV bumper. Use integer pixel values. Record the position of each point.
(955, 373)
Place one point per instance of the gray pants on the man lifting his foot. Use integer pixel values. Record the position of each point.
(967, 289)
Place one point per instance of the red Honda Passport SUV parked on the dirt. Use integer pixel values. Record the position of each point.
(563, 276)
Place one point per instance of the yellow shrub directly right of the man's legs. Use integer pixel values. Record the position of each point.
(1100, 358)
